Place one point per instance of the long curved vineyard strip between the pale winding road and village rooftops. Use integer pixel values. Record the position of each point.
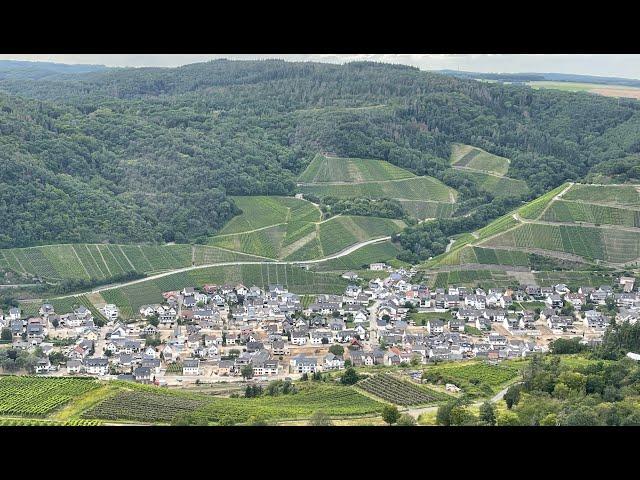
(297, 279)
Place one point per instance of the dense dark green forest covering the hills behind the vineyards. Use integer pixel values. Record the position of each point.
(152, 154)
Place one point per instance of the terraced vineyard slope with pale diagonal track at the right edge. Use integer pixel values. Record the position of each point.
(588, 224)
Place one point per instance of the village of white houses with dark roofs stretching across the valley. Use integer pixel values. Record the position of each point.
(230, 333)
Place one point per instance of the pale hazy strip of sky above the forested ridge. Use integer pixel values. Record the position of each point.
(618, 65)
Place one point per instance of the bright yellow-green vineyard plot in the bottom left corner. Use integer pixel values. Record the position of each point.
(38, 396)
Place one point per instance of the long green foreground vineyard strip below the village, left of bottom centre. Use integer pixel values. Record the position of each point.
(149, 406)
